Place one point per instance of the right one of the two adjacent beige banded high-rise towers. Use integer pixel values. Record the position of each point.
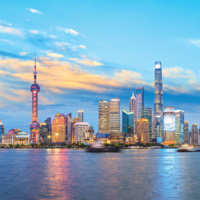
(114, 115)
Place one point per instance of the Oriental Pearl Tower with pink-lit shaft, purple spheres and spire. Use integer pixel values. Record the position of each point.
(35, 127)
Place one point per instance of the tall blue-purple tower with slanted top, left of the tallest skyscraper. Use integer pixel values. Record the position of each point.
(140, 101)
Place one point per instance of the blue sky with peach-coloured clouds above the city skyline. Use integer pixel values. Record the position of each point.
(93, 50)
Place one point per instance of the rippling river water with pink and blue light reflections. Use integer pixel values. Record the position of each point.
(75, 174)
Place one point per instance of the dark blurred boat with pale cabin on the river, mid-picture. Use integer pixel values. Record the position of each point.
(98, 147)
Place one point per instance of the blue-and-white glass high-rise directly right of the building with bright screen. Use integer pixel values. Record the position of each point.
(179, 134)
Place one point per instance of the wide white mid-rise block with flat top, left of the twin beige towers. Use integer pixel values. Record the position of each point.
(80, 128)
